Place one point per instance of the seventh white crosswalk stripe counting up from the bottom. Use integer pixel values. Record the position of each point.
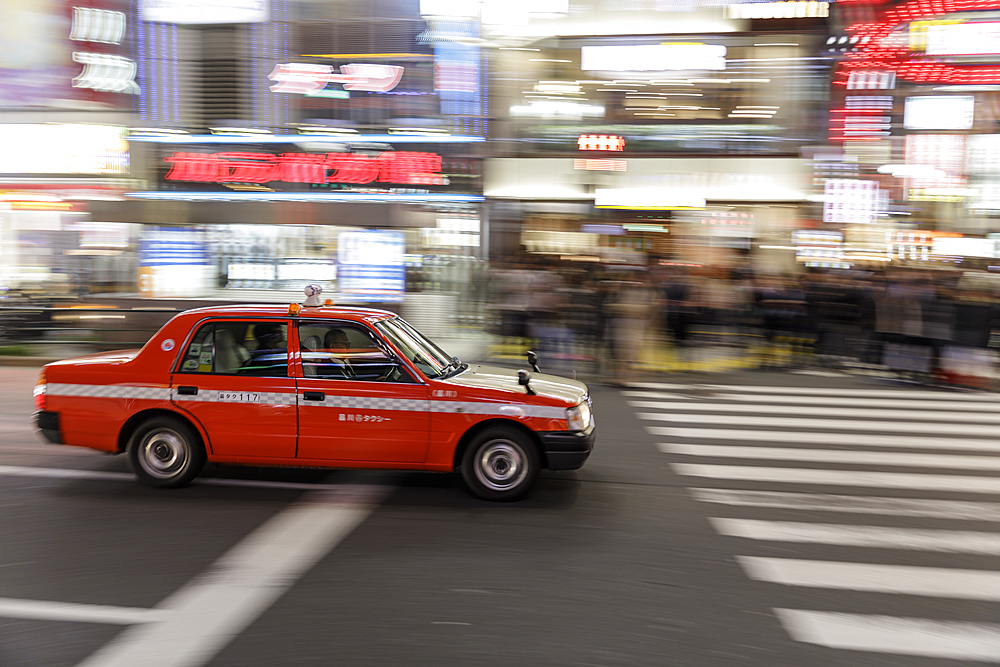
(821, 438)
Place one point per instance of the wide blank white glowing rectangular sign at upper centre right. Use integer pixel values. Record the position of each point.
(653, 57)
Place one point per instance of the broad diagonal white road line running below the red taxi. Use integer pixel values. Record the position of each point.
(211, 610)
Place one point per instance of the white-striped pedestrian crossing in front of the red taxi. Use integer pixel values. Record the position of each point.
(851, 500)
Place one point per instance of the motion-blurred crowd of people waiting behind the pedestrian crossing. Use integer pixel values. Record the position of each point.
(926, 324)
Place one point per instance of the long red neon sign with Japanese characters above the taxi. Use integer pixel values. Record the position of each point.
(388, 167)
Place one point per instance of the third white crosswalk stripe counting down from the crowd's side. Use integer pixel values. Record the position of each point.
(916, 412)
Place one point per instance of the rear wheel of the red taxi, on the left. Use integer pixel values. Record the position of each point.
(165, 452)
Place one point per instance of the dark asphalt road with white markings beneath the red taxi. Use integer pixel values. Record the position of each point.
(674, 545)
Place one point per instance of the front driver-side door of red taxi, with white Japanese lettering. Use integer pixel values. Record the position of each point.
(357, 403)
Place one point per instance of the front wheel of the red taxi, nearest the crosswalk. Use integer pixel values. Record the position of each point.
(501, 464)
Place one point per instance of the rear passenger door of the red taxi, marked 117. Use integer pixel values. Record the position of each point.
(233, 378)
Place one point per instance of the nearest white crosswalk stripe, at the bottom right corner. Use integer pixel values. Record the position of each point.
(887, 634)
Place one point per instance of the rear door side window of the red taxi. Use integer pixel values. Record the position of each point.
(238, 348)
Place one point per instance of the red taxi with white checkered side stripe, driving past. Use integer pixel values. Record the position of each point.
(313, 386)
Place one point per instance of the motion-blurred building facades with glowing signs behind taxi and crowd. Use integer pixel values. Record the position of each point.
(167, 148)
